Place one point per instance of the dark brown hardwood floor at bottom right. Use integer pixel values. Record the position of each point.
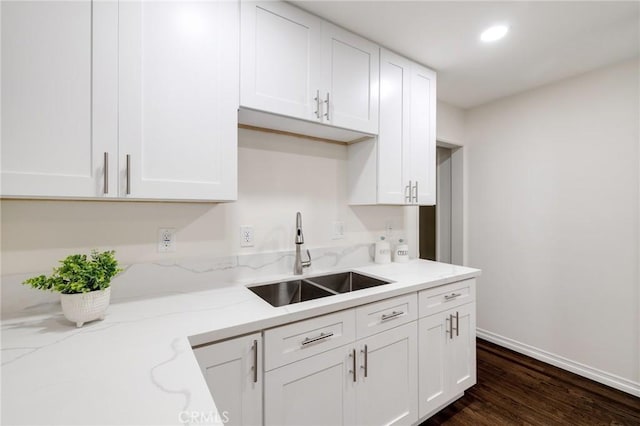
(514, 389)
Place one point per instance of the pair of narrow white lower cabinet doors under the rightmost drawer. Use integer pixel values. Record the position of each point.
(447, 356)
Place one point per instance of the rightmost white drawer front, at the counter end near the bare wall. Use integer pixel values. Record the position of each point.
(441, 298)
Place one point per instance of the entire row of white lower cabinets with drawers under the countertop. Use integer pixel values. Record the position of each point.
(392, 362)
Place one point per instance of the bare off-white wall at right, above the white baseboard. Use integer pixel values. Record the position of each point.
(553, 212)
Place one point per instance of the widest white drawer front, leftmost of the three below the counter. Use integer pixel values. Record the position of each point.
(289, 343)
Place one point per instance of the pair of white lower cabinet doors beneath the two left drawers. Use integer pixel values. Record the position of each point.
(371, 382)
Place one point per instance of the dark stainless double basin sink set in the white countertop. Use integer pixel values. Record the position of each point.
(301, 290)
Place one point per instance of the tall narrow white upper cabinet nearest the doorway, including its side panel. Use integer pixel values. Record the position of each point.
(400, 167)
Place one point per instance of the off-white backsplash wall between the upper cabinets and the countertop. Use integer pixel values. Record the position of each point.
(278, 176)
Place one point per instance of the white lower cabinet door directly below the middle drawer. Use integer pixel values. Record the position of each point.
(388, 378)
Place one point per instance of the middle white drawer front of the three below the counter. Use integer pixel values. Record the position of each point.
(380, 316)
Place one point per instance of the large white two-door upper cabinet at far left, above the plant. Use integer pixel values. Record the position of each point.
(130, 100)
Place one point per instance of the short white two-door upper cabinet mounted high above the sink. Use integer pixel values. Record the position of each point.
(296, 65)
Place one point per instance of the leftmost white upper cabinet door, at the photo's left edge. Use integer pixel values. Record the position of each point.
(59, 119)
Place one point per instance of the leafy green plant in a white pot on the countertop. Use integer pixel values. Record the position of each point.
(83, 283)
